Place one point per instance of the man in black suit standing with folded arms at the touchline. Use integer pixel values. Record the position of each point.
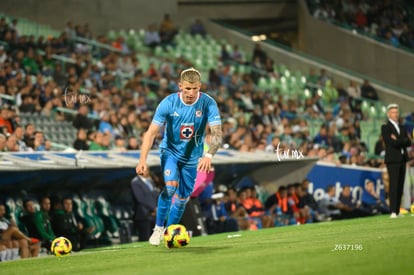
(396, 141)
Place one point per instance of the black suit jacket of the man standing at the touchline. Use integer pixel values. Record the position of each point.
(393, 147)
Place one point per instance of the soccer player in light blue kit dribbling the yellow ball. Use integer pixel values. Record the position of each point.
(184, 116)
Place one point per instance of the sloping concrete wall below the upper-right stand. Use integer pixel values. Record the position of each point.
(355, 52)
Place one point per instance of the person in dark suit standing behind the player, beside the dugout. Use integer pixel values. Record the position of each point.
(144, 193)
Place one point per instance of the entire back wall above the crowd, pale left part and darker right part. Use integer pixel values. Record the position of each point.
(103, 15)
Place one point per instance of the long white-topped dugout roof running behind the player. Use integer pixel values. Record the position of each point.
(82, 169)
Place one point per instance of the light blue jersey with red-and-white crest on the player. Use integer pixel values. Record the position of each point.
(185, 125)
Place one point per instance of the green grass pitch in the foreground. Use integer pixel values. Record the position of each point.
(375, 245)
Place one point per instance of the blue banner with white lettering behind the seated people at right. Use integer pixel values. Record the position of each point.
(323, 174)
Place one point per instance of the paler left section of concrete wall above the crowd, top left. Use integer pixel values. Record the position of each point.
(101, 15)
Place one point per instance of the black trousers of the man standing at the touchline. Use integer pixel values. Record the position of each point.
(396, 174)
